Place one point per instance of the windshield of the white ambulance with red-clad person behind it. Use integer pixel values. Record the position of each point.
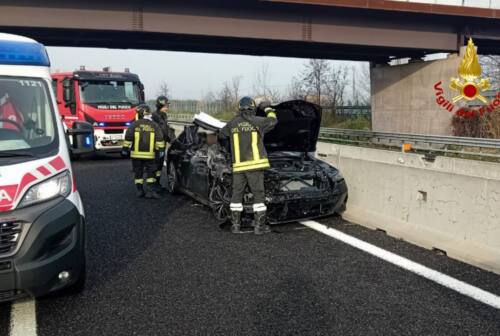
(27, 122)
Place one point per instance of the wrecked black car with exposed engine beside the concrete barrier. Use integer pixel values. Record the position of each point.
(298, 186)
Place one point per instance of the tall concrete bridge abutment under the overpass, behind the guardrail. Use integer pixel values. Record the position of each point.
(403, 97)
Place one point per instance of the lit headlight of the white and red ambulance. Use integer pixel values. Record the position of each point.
(59, 185)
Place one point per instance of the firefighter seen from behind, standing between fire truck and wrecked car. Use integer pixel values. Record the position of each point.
(144, 141)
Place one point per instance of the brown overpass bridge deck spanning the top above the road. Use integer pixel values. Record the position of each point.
(250, 27)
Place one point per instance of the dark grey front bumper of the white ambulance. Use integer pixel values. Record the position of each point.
(51, 241)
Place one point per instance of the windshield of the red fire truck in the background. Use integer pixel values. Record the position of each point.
(102, 91)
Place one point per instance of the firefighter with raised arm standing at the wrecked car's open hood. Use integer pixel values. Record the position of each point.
(249, 160)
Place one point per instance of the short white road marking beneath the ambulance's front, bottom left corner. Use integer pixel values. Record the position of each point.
(23, 318)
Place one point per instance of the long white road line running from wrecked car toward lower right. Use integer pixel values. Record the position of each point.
(430, 274)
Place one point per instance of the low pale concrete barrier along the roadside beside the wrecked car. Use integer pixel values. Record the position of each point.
(451, 204)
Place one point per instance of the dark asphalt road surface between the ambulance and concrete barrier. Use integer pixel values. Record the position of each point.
(164, 267)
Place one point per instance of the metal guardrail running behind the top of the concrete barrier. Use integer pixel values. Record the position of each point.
(464, 147)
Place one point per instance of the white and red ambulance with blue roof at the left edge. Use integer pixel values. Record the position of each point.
(42, 224)
